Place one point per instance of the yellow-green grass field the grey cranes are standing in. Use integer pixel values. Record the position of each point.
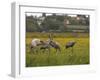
(79, 56)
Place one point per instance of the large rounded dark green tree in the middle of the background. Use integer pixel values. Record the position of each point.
(52, 22)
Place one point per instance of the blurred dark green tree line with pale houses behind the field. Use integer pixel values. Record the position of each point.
(54, 22)
